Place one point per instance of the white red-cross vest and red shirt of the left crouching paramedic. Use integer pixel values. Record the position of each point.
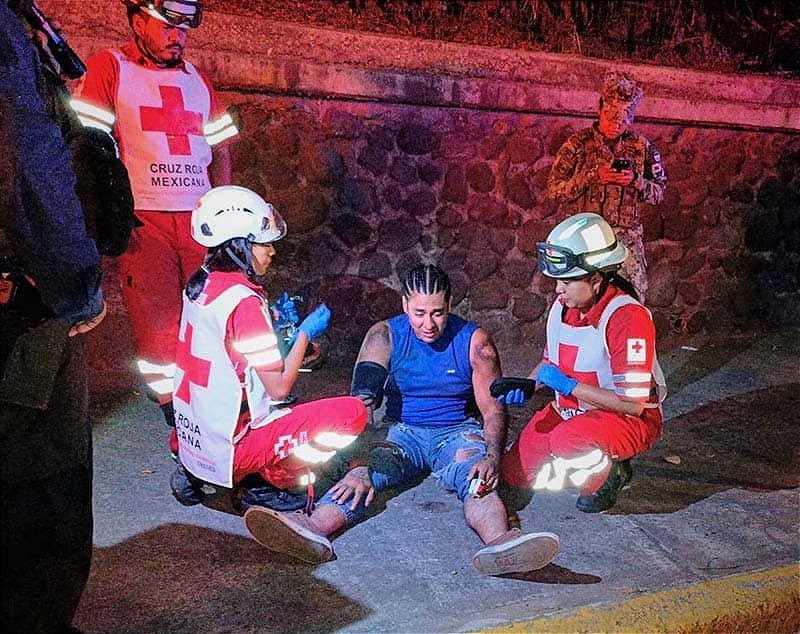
(209, 383)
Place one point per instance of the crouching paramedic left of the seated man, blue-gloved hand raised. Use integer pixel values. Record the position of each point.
(231, 376)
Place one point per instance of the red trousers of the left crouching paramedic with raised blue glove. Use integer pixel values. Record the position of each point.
(264, 450)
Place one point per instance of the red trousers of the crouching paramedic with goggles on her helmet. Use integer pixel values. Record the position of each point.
(547, 435)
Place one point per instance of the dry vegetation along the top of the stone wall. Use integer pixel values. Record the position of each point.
(756, 36)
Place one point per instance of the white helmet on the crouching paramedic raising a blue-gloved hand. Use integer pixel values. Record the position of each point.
(228, 212)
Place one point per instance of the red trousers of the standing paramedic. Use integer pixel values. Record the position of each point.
(154, 270)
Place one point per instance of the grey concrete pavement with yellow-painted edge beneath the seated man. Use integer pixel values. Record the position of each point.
(705, 544)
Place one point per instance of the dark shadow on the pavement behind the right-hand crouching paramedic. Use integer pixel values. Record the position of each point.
(748, 442)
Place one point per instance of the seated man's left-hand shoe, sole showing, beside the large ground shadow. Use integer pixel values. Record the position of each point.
(288, 533)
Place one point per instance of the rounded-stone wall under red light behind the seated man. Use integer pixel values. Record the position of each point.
(368, 190)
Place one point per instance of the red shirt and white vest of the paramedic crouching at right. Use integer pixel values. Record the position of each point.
(619, 359)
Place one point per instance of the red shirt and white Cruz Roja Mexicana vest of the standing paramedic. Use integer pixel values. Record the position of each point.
(165, 121)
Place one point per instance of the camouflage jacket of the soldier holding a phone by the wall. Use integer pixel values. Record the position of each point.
(573, 178)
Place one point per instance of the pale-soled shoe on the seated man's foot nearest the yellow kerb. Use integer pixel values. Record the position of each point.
(516, 551)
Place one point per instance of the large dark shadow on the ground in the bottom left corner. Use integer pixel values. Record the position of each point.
(181, 578)
